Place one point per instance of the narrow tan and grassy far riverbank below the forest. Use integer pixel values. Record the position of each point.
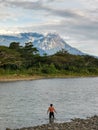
(11, 78)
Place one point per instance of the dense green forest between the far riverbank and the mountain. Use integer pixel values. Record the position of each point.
(26, 60)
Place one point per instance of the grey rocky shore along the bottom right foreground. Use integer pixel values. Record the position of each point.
(75, 124)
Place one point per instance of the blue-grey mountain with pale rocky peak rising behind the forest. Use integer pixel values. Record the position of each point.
(49, 44)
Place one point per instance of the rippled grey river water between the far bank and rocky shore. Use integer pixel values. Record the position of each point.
(25, 103)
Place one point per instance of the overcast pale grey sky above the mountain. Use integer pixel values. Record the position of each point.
(74, 20)
